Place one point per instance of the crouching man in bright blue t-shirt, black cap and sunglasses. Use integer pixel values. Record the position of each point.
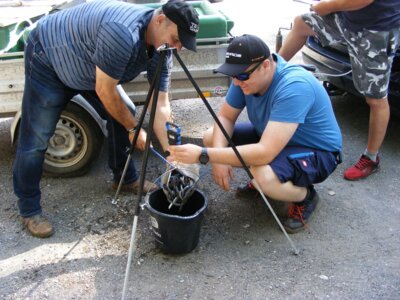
(292, 140)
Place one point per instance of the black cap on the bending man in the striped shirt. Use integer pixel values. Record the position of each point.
(187, 20)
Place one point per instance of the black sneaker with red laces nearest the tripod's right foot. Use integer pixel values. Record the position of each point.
(299, 213)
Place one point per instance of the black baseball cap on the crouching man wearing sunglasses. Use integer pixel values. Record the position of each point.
(242, 52)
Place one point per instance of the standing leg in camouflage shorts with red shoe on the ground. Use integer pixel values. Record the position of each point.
(371, 66)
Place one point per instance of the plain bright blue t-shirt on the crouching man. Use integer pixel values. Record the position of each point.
(294, 96)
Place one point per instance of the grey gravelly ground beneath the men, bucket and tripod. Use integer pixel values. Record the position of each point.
(351, 250)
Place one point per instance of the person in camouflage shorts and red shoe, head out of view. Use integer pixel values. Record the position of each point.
(371, 31)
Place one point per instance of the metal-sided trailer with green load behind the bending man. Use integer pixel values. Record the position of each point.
(74, 146)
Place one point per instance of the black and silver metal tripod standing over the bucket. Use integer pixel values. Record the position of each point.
(154, 87)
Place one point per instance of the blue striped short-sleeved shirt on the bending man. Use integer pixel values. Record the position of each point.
(107, 34)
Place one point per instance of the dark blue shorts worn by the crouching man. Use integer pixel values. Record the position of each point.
(302, 166)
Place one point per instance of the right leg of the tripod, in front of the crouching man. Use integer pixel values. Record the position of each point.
(228, 138)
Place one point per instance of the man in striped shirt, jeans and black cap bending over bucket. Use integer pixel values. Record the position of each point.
(89, 50)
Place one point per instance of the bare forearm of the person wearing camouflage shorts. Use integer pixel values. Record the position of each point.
(330, 6)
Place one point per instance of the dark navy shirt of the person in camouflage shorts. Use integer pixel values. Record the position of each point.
(381, 15)
